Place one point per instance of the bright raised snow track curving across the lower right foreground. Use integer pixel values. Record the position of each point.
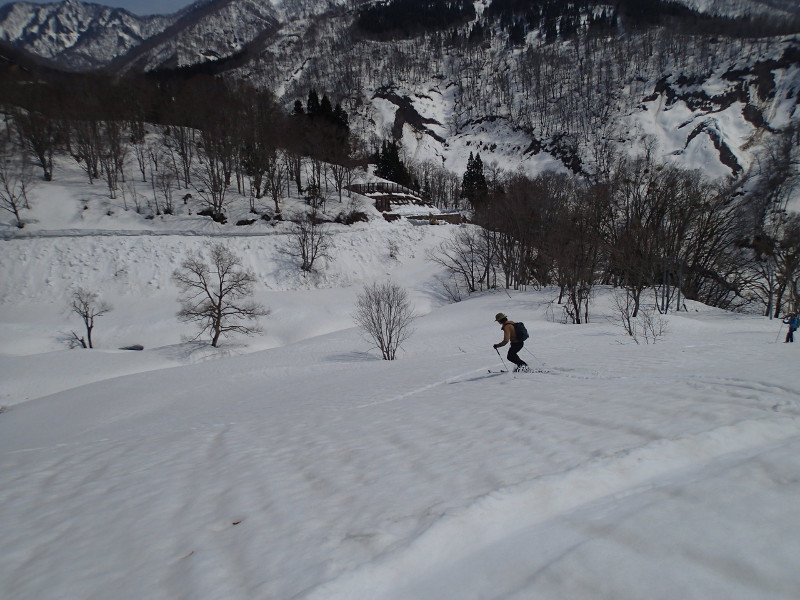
(469, 534)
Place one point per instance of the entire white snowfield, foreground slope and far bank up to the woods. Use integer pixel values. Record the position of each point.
(296, 464)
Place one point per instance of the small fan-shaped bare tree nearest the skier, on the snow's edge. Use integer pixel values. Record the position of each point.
(384, 314)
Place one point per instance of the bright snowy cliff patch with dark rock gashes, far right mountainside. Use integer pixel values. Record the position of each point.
(719, 123)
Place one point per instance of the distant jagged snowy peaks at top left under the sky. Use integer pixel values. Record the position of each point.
(85, 36)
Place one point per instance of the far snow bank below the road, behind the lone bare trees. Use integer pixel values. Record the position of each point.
(133, 273)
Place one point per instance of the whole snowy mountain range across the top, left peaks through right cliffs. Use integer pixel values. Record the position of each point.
(528, 97)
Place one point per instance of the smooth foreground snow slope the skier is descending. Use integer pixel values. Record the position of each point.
(316, 470)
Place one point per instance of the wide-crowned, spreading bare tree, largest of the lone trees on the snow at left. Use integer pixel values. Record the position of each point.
(216, 296)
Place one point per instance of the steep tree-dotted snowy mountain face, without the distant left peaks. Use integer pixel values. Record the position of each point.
(709, 100)
